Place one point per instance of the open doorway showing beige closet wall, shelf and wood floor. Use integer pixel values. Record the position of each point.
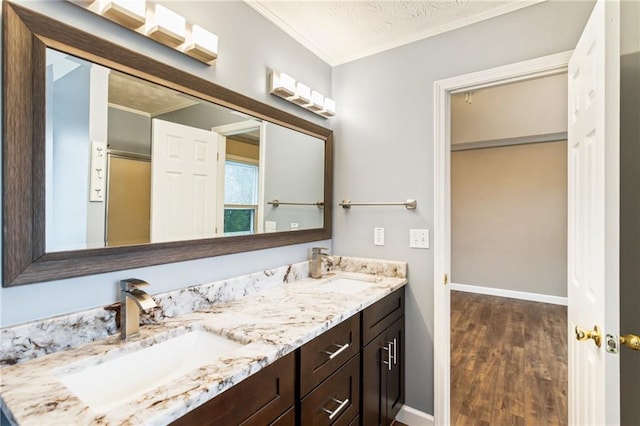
(509, 253)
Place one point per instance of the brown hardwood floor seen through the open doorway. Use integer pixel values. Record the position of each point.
(508, 361)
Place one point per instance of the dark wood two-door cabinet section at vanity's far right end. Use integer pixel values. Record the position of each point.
(383, 363)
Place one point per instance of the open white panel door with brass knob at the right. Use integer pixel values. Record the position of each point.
(593, 239)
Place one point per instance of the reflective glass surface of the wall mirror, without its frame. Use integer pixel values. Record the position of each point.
(130, 162)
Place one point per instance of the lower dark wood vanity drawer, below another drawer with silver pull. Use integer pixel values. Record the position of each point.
(337, 400)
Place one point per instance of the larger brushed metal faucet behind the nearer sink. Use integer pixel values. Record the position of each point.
(132, 300)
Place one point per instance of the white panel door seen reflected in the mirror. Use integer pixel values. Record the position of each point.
(183, 182)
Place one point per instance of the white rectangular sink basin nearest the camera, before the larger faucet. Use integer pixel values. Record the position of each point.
(110, 384)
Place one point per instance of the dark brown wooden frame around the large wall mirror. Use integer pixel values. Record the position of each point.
(26, 36)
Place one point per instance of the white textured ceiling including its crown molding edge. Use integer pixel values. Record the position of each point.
(342, 31)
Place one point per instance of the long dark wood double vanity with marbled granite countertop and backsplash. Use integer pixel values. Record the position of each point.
(275, 347)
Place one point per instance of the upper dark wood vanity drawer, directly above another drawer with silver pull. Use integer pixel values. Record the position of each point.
(322, 356)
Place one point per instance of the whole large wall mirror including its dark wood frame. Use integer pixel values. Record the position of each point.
(113, 160)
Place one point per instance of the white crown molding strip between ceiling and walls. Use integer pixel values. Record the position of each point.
(418, 35)
